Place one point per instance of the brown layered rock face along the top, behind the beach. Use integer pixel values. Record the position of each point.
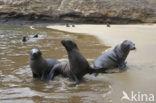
(88, 11)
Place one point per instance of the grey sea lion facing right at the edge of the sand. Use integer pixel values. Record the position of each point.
(114, 58)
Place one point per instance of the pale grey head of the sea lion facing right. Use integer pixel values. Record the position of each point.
(128, 45)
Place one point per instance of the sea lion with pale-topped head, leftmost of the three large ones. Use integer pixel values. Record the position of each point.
(40, 67)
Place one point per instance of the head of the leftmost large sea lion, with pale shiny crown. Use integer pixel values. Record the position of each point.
(35, 54)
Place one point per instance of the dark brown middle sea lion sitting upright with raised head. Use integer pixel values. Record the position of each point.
(78, 66)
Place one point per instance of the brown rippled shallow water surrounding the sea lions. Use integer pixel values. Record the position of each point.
(16, 82)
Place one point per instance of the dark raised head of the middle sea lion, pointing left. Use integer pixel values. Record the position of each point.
(69, 44)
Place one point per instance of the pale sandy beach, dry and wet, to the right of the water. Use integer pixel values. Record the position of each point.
(140, 76)
